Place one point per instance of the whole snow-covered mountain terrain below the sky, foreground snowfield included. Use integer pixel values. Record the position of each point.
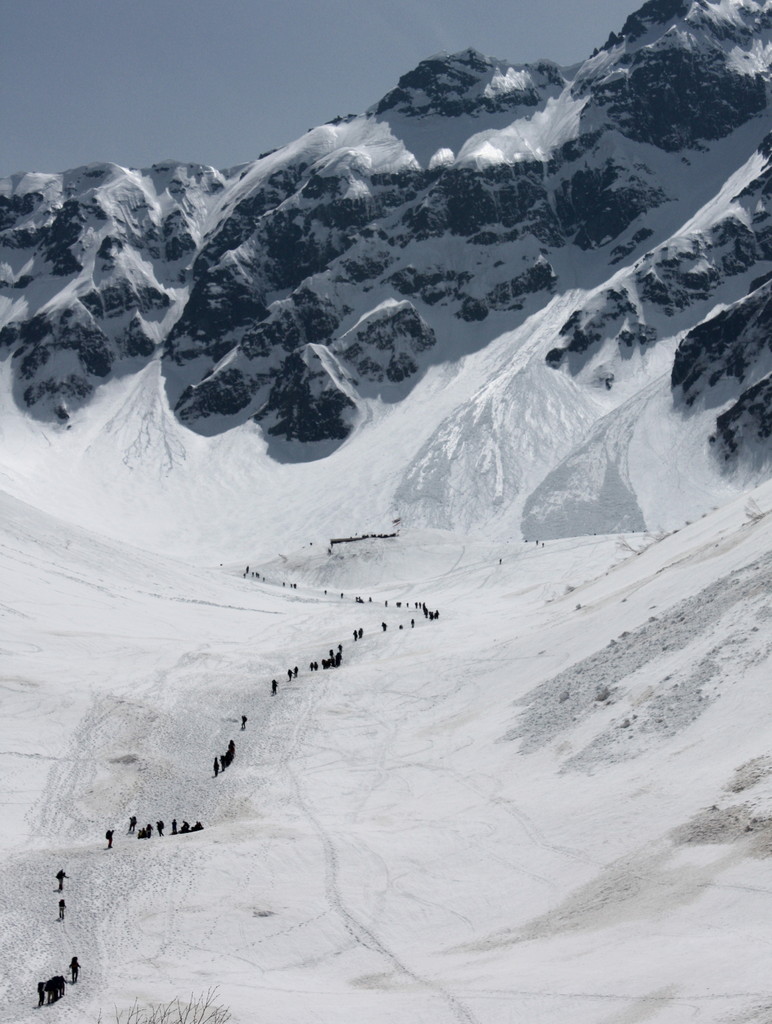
(508, 305)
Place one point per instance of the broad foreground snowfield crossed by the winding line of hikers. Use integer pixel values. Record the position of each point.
(553, 802)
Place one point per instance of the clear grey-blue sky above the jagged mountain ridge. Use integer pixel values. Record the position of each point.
(221, 81)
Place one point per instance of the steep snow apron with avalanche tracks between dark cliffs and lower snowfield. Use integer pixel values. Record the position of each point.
(478, 446)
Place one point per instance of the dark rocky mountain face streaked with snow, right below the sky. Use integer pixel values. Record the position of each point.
(338, 270)
